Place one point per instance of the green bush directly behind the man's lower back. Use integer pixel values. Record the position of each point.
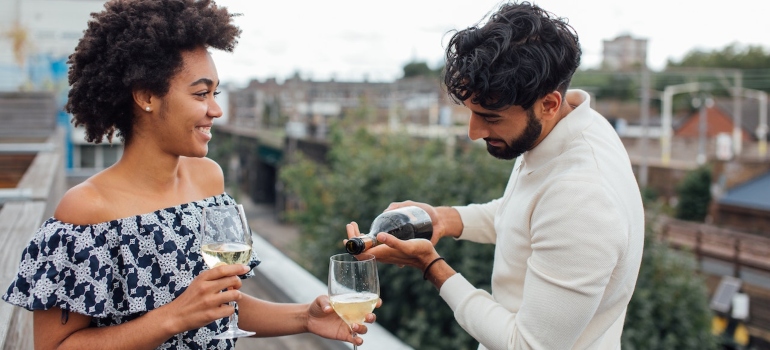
(669, 308)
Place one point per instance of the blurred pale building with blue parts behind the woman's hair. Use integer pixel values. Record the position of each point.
(39, 37)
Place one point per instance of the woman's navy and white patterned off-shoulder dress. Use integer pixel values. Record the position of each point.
(118, 270)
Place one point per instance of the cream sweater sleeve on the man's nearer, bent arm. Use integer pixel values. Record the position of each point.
(578, 237)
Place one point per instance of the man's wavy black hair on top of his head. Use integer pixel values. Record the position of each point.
(521, 54)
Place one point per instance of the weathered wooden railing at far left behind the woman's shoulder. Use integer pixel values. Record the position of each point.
(42, 185)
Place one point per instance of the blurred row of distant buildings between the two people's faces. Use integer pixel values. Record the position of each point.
(306, 108)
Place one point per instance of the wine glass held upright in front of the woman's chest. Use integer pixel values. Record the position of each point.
(226, 239)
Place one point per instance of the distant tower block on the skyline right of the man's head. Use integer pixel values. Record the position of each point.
(624, 53)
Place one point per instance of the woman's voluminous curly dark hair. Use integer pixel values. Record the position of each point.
(134, 45)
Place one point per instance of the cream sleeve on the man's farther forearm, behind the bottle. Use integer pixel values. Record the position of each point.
(479, 221)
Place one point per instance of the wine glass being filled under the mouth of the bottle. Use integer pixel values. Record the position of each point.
(354, 287)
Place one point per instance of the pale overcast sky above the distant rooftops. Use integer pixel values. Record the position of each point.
(352, 39)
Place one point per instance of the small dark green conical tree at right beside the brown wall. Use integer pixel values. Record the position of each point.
(694, 193)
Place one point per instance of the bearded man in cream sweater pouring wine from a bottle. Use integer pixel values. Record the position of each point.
(569, 227)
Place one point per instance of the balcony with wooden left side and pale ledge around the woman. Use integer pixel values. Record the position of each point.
(33, 180)
